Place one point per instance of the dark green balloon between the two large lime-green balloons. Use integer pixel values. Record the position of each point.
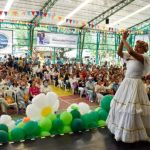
(57, 126)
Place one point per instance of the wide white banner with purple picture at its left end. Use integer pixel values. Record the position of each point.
(56, 40)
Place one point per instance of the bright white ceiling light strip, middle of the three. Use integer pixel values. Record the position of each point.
(74, 11)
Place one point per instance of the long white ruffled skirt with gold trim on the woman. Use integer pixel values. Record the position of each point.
(129, 116)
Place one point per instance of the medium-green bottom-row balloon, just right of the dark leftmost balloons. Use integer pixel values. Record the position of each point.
(17, 134)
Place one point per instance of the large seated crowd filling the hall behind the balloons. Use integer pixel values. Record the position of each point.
(27, 78)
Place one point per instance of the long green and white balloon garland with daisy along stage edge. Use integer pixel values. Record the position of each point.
(78, 117)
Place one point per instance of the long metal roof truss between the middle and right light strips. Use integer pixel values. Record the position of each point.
(109, 12)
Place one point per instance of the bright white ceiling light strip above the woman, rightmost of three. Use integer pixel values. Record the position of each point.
(128, 16)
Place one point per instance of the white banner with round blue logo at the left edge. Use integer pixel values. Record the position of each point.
(6, 41)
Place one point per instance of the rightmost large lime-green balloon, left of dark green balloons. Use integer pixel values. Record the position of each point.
(66, 117)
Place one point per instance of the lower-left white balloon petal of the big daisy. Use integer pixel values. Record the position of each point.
(33, 113)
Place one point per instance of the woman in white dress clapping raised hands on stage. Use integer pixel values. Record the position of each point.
(129, 116)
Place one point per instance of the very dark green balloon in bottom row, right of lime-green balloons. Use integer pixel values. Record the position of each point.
(77, 125)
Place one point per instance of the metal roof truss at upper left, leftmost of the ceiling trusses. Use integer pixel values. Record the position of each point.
(47, 6)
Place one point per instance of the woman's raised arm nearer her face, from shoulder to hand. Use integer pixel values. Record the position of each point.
(130, 50)
